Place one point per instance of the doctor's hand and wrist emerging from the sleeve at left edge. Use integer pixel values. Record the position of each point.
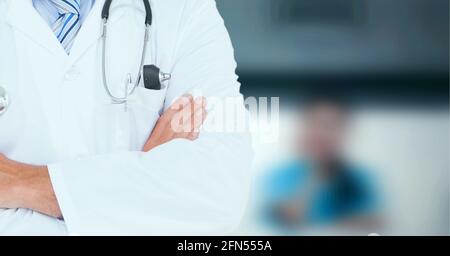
(26, 186)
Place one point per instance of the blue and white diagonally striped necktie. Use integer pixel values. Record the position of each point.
(68, 24)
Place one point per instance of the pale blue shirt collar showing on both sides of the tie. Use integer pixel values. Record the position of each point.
(50, 14)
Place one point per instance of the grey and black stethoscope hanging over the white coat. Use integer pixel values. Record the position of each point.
(151, 75)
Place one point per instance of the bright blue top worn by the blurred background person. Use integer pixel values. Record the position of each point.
(351, 193)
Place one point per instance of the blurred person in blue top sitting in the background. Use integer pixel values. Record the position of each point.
(321, 186)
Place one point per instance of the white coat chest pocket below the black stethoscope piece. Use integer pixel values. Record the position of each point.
(144, 107)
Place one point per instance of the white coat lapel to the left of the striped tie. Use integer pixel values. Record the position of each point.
(22, 16)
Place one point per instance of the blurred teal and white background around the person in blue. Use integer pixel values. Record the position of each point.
(390, 60)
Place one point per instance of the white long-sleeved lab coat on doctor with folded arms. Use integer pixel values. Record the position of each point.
(60, 116)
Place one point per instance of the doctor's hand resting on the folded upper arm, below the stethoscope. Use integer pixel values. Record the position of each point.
(181, 121)
